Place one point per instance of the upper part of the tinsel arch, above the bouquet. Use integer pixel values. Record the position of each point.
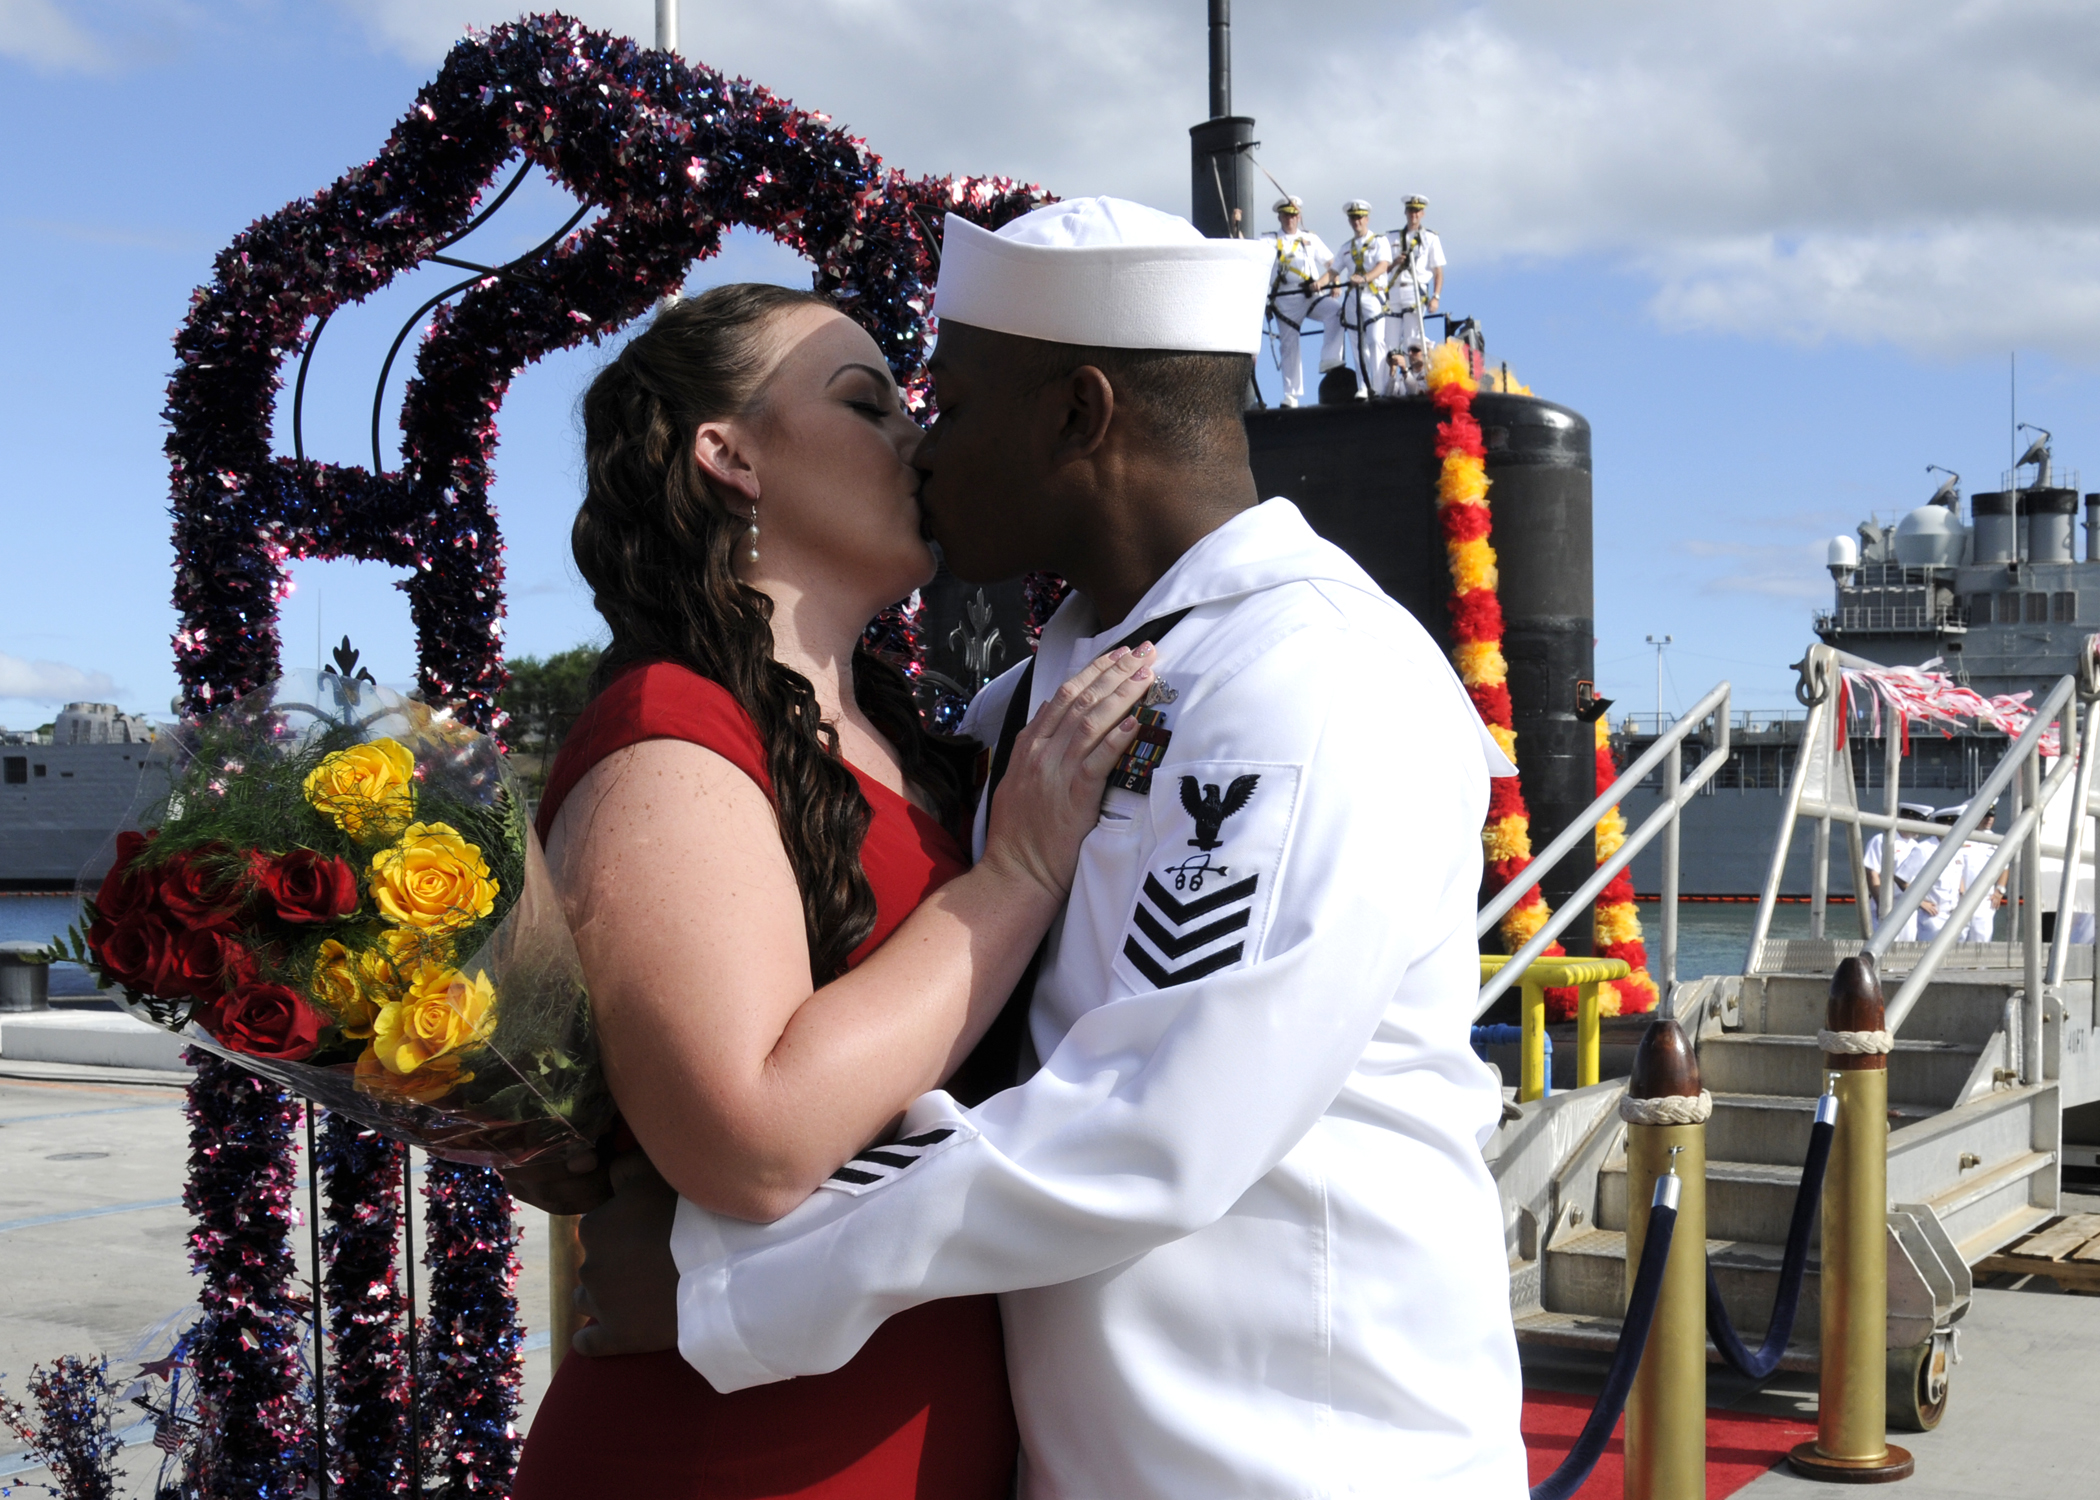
(673, 154)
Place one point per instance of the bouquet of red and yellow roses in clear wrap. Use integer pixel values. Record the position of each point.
(341, 892)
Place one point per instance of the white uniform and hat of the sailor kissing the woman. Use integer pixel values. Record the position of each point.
(1238, 1211)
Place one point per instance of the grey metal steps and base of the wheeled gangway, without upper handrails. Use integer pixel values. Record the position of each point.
(1973, 1165)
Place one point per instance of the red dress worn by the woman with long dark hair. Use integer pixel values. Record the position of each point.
(923, 1413)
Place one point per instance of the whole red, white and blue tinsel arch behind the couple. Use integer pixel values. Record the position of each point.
(669, 154)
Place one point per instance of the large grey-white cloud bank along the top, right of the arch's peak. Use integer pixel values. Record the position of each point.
(1883, 171)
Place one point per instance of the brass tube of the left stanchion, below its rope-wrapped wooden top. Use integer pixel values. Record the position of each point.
(1666, 1411)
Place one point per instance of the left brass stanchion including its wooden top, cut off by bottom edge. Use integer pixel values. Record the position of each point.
(1666, 1112)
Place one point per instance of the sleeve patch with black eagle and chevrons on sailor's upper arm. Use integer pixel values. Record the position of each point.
(1209, 883)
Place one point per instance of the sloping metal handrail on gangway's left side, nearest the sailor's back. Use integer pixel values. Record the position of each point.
(1584, 825)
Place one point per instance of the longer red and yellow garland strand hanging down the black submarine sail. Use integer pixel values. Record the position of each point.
(1477, 625)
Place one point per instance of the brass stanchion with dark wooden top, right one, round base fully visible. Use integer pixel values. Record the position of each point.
(1853, 1390)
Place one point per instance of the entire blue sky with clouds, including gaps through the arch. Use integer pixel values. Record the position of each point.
(1782, 257)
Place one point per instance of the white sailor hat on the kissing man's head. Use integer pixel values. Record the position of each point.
(1110, 274)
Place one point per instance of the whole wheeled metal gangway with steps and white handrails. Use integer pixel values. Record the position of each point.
(1992, 1045)
